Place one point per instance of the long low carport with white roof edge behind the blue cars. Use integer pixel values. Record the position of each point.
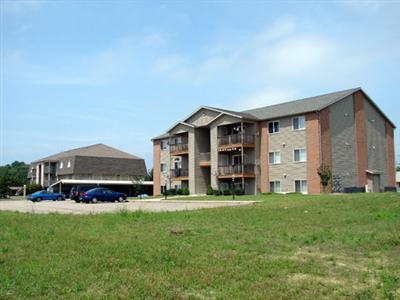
(123, 186)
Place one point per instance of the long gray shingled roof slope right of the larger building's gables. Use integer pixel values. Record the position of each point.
(299, 106)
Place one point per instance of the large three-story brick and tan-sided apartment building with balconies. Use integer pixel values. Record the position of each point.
(279, 148)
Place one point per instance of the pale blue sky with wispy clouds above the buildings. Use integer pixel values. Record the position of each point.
(76, 73)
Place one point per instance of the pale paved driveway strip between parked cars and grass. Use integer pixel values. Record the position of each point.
(66, 207)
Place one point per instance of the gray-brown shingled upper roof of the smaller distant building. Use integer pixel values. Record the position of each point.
(97, 150)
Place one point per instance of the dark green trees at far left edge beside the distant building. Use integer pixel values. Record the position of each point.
(15, 174)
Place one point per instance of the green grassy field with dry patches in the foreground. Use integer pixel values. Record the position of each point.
(295, 246)
